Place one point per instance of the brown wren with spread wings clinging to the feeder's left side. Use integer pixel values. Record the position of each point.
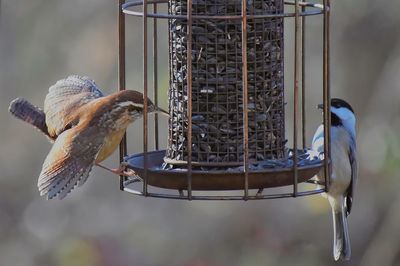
(85, 126)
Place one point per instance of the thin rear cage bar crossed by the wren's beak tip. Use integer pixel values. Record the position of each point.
(155, 76)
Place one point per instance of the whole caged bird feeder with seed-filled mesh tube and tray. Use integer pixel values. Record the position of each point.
(226, 100)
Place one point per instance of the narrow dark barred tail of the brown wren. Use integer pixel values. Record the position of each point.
(29, 113)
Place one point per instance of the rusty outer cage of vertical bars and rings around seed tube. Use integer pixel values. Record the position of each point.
(299, 75)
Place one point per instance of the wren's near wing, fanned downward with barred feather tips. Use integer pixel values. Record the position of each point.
(70, 161)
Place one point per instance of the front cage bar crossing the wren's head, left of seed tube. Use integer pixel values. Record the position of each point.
(145, 97)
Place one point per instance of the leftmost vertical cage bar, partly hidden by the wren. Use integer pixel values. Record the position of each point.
(121, 78)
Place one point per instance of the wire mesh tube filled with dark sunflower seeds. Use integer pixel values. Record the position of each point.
(217, 84)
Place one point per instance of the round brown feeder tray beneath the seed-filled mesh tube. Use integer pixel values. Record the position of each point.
(216, 179)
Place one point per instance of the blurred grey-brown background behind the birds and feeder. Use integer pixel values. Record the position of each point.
(43, 41)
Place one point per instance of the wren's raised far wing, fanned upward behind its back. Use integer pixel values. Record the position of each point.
(66, 96)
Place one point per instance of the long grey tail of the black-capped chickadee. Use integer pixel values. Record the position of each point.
(341, 240)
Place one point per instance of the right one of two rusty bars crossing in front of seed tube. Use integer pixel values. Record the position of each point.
(245, 101)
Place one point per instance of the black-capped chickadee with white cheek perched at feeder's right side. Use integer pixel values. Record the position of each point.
(344, 171)
